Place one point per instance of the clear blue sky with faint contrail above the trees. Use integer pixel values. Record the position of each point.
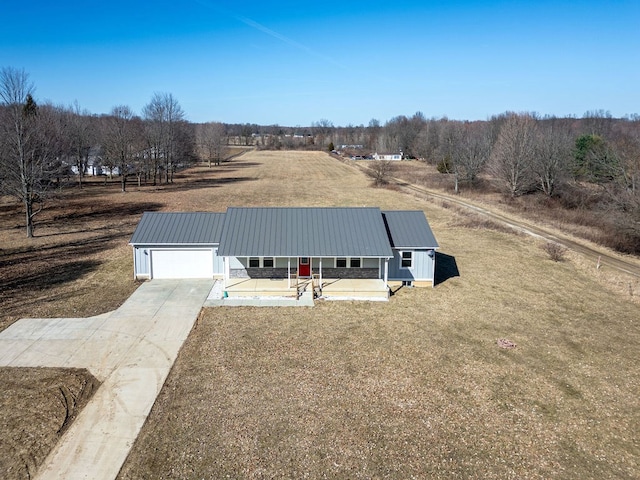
(294, 63)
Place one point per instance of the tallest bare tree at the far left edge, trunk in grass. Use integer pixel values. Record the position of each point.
(29, 143)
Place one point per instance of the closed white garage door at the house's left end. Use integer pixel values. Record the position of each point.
(182, 264)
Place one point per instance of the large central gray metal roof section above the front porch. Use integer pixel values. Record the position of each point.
(308, 232)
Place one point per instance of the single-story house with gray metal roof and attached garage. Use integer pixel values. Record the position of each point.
(289, 244)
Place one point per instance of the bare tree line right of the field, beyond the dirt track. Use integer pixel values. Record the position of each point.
(588, 164)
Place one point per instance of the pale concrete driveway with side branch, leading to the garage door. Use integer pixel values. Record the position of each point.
(131, 350)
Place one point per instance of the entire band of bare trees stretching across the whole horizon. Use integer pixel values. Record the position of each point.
(588, 162)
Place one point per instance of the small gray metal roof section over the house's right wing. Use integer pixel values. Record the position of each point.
(409, 229)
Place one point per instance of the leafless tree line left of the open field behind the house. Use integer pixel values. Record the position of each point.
(43, 143)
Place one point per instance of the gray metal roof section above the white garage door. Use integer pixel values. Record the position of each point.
(187, 228)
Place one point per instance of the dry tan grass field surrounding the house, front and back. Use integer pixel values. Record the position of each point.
(413, 388)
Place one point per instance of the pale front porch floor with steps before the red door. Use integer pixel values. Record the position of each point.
(327, 288)
